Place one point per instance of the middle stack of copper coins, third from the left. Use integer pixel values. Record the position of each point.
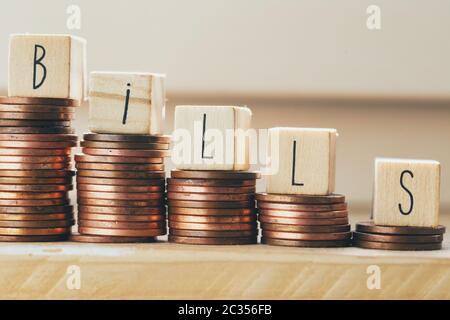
(212, 207)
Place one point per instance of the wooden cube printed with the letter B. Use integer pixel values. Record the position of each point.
(51, 66)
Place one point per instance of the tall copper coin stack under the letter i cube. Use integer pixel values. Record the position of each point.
(121, 188)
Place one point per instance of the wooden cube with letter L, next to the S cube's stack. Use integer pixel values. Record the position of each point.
(302, 161)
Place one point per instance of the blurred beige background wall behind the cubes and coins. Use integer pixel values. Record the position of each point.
(295, 63)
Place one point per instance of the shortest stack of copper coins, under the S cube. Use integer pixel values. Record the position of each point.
(371, 236)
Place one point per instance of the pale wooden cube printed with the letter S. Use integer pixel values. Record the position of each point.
(406, 192)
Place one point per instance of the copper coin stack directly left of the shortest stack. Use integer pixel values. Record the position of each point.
(304, 221)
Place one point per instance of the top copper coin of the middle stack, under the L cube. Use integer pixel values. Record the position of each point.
(221, 175)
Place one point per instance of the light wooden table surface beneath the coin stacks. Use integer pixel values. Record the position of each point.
(170, 271)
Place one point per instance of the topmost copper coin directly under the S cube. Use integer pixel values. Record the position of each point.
(370, 227)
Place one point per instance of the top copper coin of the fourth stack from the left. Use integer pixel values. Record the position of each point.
(301, 199)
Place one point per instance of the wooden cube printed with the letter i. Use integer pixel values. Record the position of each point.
(126, 103)
